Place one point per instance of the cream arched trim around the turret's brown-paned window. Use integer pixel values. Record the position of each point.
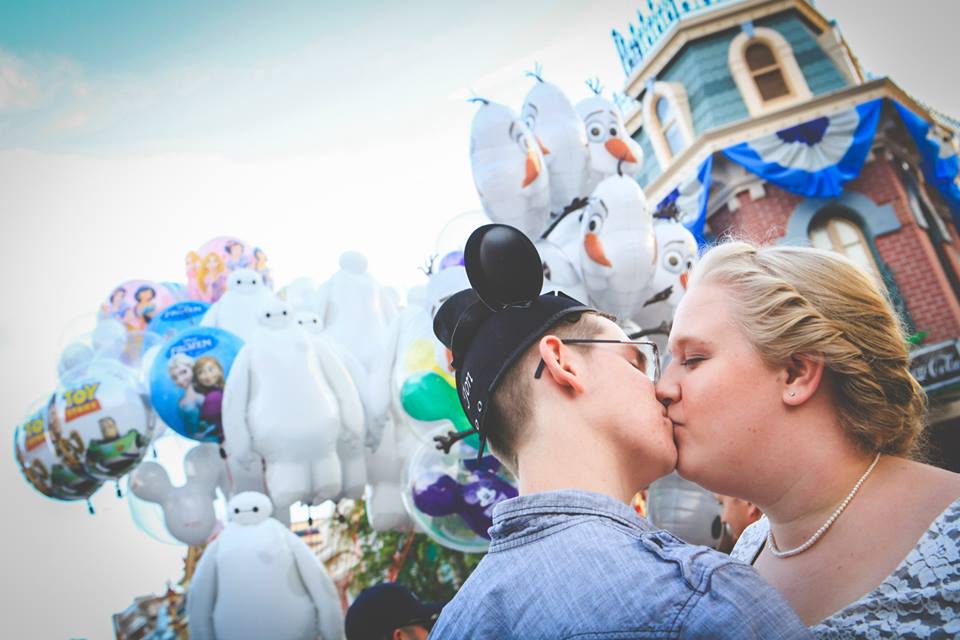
(783, 53)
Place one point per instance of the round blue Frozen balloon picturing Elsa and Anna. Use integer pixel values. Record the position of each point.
(187, 381)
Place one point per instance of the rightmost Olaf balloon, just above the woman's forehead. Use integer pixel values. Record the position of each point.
(676, 255)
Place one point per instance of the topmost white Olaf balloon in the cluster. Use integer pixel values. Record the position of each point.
(551, 117)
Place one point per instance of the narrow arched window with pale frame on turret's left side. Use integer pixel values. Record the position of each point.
(666, 114)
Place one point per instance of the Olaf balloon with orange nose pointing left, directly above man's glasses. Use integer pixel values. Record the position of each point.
(618, 247)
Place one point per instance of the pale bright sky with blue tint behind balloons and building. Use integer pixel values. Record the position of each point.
(132, 132)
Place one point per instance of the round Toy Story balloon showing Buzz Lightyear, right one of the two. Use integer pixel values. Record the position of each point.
(100, 425)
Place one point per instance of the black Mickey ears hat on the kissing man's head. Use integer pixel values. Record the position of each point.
(489, 326)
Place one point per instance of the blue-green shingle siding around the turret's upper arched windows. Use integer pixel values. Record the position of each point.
(714, 99)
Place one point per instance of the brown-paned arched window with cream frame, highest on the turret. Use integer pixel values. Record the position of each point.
(766, 72)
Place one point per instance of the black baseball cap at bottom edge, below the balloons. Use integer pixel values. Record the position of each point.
(380, 609)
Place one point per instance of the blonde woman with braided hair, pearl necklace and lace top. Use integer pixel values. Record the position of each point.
(789, 387)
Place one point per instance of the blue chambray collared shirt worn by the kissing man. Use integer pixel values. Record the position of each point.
(572, 564)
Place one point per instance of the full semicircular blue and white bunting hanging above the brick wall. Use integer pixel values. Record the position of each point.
(816, 158)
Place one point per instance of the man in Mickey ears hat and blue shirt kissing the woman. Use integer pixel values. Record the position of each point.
(566, 401)
